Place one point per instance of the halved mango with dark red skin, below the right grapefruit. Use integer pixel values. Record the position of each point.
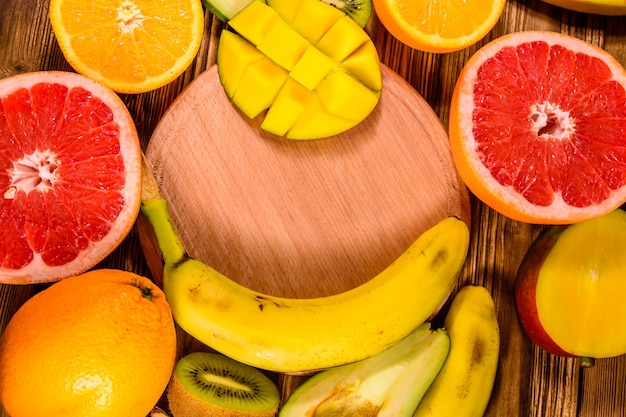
(570, 289)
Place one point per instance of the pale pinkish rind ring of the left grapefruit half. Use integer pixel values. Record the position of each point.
(129, 149)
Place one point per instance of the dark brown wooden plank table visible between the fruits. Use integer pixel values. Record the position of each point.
(529, 382)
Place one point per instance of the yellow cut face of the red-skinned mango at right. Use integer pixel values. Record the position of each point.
(581, 286)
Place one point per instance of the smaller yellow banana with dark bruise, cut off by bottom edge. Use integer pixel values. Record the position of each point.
(463, 387)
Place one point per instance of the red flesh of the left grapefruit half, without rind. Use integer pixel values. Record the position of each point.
(61, 173)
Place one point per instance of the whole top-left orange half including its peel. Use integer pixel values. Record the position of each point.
(131, 46)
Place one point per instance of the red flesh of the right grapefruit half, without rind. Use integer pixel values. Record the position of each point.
(549, 121)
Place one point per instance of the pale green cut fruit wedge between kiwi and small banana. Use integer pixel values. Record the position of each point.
(389, 384)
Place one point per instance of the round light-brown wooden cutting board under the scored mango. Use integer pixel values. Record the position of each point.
(303, 218)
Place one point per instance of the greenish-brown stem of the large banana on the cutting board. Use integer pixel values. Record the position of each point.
(154, 207)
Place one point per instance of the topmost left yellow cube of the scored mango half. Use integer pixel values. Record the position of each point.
(254, 21)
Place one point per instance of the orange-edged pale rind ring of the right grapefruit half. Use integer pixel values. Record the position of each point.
(477, 176)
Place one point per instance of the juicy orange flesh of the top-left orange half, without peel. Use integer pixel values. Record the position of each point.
(127, 33)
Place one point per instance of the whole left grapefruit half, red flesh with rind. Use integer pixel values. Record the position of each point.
(70, 178)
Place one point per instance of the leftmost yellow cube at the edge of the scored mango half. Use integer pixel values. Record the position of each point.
(233, 65)
